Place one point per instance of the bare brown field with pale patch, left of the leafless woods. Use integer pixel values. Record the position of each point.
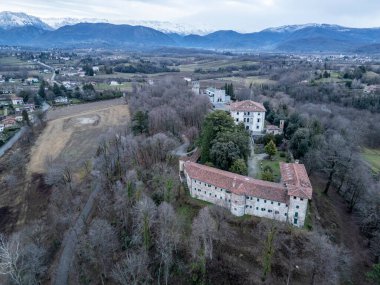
(73, 132)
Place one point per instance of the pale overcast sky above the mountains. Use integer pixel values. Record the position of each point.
(242, 15)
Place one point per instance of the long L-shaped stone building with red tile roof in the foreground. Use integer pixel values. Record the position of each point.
(286, 201)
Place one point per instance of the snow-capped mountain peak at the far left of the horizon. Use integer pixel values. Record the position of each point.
(9, 20)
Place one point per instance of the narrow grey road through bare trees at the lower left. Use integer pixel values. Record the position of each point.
(71, 239)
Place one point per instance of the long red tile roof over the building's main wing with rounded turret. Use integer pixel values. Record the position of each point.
(235, 183)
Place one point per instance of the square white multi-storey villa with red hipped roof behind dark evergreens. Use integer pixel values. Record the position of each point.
(251, 113)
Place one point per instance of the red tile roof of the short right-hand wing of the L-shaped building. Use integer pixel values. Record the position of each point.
(296, 180)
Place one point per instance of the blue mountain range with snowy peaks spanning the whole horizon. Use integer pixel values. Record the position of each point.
(24, 30)
